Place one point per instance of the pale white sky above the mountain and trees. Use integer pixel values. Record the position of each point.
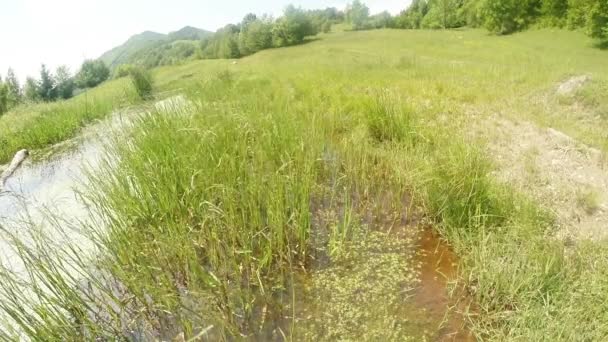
(65, 32)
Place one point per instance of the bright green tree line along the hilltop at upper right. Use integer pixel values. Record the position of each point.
(498, 16)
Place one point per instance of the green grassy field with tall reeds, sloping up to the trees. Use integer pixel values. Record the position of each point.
(284, 200)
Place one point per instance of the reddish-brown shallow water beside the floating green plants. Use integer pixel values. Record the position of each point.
(439, 266)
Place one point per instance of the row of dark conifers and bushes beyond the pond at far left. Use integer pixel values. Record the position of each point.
(50, 86)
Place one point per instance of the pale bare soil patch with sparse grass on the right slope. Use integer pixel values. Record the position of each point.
(565, 176)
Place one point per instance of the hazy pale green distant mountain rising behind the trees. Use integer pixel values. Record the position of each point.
(148, 42)
